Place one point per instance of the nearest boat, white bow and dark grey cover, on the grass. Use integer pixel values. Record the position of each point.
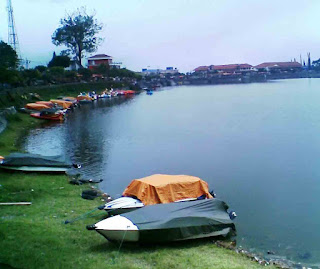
(168, 222)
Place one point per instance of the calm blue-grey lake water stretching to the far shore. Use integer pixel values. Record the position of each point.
(257, 145)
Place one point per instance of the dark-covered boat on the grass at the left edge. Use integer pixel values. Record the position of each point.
(28, 162)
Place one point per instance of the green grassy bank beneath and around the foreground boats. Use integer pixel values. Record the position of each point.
(36, 236)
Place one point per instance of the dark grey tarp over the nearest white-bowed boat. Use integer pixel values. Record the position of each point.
(178, 221)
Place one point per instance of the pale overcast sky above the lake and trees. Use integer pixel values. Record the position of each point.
(178, 33)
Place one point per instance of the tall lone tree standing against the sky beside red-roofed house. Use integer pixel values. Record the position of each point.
(78, 32)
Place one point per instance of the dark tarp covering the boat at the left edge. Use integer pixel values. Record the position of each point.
(27, 159)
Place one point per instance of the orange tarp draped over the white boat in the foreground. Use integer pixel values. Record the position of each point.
(157, 189)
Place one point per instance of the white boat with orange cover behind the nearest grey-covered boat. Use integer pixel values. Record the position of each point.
(158, 189)
